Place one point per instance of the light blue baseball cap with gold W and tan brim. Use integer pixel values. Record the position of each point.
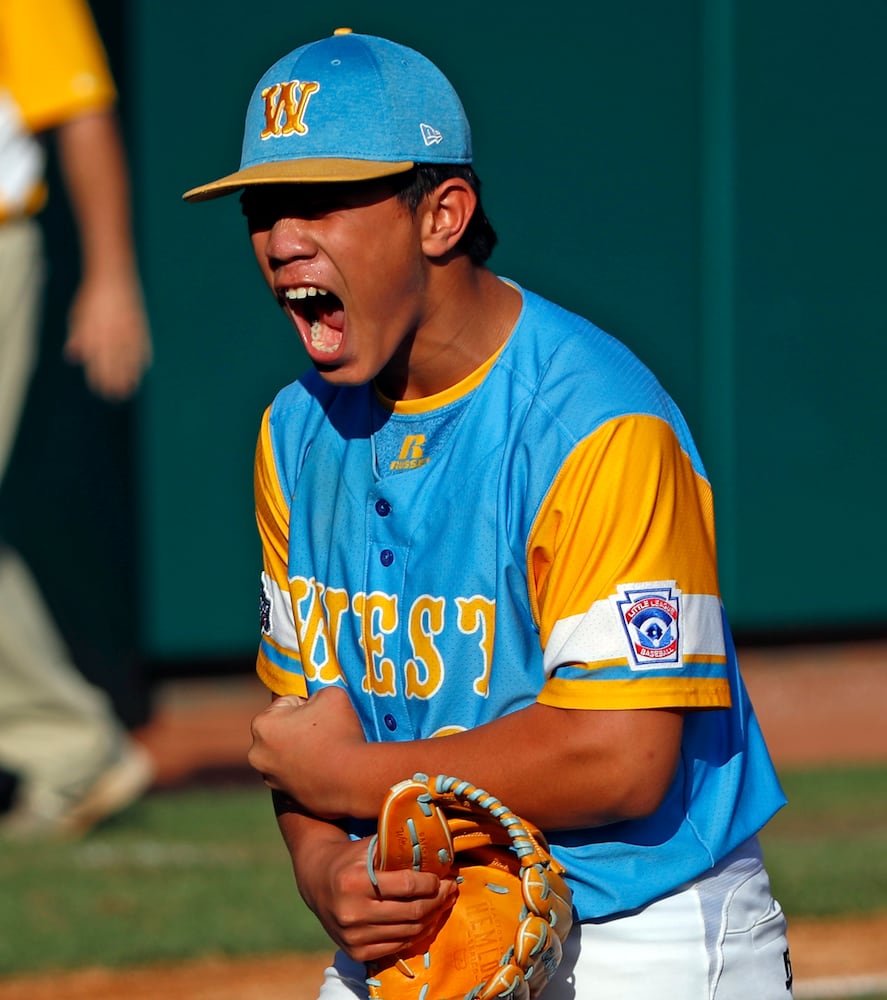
(346, 108)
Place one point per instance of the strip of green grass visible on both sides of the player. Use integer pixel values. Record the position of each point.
(205, 872)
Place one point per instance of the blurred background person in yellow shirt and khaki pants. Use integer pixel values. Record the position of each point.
(66, 761)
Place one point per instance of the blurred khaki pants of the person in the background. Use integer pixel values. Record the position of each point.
(57, 732)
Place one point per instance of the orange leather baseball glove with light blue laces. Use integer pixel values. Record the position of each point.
(503, 935)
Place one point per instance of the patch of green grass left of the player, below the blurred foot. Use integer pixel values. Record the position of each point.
(179, 875)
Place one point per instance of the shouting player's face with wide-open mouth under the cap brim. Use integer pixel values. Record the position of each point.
(345, 264)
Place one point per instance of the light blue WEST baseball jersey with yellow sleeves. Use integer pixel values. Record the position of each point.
(542, 531)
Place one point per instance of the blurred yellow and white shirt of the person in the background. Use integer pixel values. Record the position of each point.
(53, 68)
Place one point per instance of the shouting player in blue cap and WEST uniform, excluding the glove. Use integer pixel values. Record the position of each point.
(488, 551)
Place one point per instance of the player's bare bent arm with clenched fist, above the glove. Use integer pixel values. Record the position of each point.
(558, 768)
